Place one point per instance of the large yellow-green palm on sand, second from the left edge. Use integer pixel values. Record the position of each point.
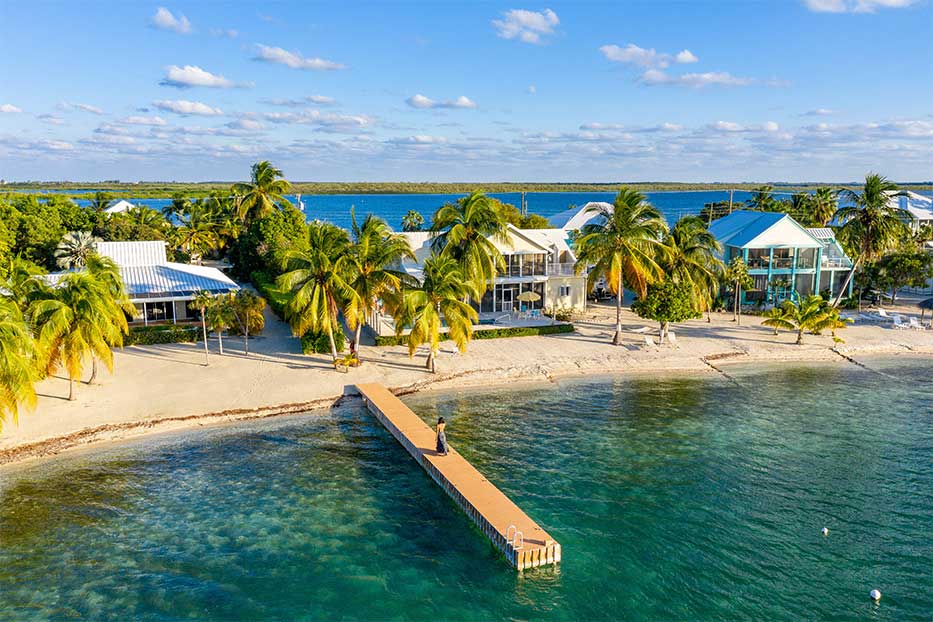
(79, 320)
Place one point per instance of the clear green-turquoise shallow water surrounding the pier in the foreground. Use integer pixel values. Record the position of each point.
(689, 499)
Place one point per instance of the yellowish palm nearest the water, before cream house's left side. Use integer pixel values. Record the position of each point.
(438, 299)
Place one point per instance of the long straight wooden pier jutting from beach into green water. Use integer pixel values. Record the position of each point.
(521, 540)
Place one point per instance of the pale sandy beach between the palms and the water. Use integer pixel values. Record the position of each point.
(168, 387)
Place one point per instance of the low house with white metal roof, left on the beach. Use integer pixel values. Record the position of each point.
(160, 289)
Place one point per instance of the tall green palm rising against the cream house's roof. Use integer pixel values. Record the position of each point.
(467, 231)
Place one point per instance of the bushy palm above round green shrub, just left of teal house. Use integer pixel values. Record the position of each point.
(692, 257)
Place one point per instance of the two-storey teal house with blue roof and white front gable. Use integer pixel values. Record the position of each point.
(785, 259)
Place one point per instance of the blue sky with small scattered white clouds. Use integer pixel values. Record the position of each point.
(649, 90)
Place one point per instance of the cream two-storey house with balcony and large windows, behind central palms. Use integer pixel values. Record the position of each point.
(536, 260)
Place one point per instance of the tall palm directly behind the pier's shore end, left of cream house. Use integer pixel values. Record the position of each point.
(375, 252)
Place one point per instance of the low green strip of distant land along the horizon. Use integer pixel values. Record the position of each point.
(155, 190)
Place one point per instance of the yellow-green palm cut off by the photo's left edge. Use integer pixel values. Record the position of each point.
(18, 370)
